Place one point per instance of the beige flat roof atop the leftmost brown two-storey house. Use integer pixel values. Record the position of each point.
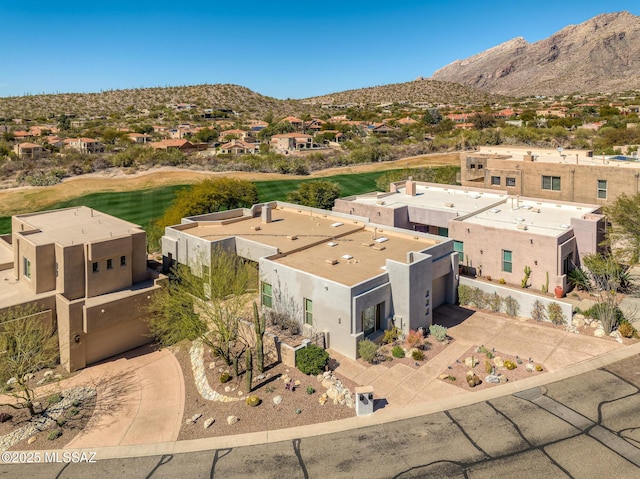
(76, 225)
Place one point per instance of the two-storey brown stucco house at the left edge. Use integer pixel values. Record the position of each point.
(88, 273)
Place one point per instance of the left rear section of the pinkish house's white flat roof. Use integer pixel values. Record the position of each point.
(436, 197)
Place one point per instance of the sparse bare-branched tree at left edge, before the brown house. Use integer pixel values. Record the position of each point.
(28, 343)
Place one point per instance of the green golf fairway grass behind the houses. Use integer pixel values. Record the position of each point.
(143, 206)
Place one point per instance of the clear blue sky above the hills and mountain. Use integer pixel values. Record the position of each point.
(283, 49)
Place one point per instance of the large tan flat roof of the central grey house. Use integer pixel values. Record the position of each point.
(311, 241)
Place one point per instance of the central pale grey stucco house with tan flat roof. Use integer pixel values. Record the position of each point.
(338, 274)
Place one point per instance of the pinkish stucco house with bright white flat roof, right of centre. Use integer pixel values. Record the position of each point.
(495, 234)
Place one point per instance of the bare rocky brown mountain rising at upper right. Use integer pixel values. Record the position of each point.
(601, 55)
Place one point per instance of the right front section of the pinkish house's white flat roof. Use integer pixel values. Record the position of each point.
(540, 217)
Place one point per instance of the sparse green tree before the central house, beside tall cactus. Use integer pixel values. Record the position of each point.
(205, 304)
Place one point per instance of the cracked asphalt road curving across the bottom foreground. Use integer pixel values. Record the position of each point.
(583, 427)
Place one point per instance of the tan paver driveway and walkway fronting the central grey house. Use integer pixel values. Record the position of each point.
(402, 386)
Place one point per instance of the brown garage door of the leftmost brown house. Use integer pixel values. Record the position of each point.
(116, 339)
